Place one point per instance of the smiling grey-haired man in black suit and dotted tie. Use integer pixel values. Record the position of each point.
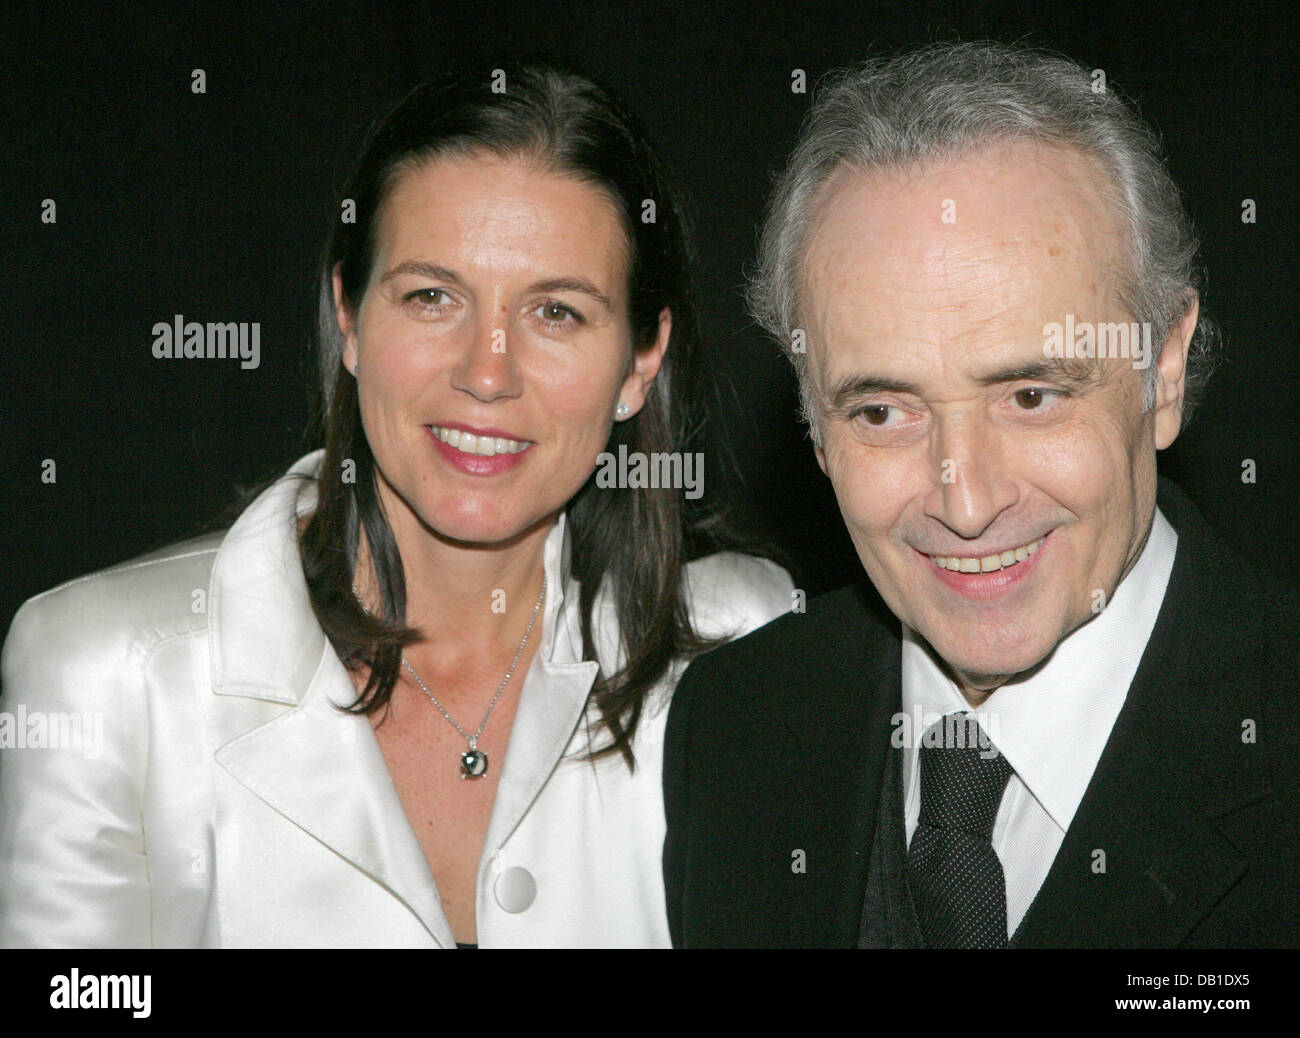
(1071, 716)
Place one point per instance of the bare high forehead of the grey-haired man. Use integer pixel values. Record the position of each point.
(964, 259)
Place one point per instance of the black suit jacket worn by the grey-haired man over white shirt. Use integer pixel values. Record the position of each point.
(777, 747)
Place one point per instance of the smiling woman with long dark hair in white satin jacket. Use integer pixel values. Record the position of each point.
(415, 697)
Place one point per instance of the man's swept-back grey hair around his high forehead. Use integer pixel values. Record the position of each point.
(951, 100)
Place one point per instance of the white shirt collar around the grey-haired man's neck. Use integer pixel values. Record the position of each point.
(1054, 725)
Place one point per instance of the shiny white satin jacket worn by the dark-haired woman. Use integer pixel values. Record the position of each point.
(175, 773)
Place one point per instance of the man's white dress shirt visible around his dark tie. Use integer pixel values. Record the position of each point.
(1052, 726)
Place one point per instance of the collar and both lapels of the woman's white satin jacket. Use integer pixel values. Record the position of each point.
(320, 767)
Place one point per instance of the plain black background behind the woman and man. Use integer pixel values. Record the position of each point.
(215, 206)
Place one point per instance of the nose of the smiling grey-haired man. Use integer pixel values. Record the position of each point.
(973, 486)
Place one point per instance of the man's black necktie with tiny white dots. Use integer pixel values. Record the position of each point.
(954, 873)
